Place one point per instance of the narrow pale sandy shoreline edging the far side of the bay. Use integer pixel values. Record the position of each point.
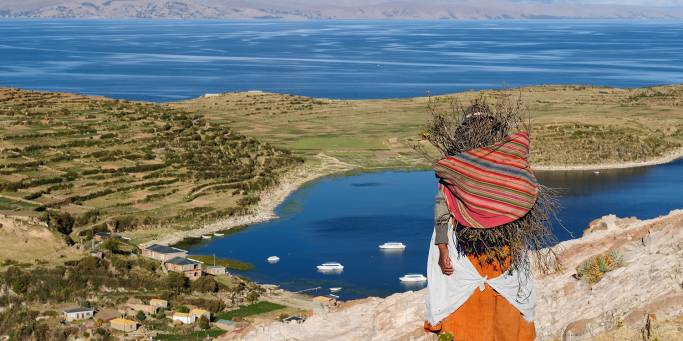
(293, 180)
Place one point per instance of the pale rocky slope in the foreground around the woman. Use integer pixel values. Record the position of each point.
(642, 300)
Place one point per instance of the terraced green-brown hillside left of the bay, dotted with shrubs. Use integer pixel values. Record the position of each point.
(120, 165)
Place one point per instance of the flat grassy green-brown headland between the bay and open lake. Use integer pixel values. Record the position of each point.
(571, 125)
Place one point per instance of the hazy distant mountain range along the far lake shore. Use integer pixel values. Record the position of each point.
(341, 9)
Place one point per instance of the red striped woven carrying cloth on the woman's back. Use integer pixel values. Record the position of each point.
(489, 186)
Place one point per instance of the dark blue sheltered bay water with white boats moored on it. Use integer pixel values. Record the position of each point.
(345, 218)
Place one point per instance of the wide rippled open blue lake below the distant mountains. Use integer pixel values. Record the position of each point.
(178, 59)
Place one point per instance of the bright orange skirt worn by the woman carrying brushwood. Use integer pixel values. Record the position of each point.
(486, 315)
